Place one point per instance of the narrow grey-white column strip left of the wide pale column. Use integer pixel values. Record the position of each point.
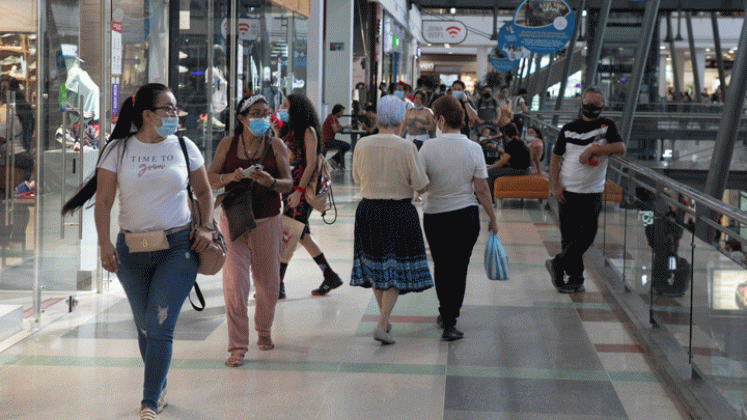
(315, 56)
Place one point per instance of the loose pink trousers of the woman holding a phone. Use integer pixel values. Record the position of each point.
(255, 255)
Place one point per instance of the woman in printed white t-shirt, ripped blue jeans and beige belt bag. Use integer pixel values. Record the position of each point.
(149, 169)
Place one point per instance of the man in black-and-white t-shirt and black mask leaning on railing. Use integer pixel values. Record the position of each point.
(578, 169)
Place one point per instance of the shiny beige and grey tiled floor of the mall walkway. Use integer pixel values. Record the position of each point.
(528, 352)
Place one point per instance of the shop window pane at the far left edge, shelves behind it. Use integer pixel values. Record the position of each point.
(18, 62)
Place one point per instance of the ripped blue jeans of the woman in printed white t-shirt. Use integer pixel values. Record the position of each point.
(156, 284)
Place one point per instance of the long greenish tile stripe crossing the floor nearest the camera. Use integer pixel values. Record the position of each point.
(349, 367)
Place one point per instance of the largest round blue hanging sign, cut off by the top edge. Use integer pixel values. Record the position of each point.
(544, 26)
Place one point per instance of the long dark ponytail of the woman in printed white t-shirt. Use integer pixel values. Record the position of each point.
(131, 113)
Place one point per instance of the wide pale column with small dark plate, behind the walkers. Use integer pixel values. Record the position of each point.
(338, 68)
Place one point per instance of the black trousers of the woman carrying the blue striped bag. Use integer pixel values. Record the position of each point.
(451, 237)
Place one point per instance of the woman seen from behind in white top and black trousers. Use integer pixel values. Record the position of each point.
(457, 171)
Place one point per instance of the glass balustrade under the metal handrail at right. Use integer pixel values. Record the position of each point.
(694, 289)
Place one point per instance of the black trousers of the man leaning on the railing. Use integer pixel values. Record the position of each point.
(579, 217)
